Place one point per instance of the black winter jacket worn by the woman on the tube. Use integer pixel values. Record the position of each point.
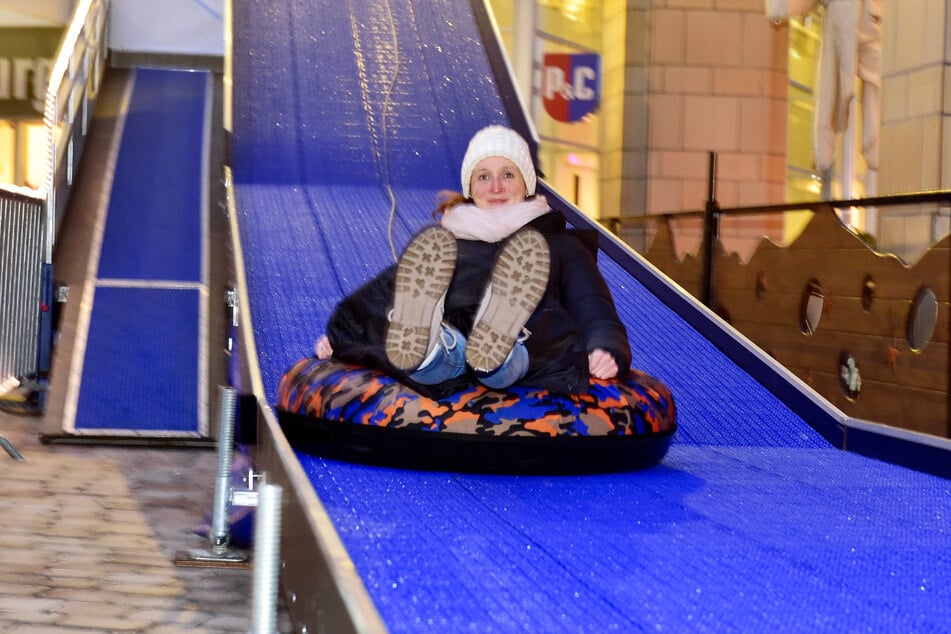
(576, 314)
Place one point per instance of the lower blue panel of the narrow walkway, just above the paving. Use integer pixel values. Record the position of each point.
(140, 370)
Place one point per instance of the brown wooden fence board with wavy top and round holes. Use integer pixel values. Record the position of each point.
(867, 301)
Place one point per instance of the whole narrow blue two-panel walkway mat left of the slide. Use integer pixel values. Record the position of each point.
(143, 370)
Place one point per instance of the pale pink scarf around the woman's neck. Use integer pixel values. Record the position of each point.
(468, 222)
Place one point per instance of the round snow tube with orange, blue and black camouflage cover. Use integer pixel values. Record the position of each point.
(352, 413)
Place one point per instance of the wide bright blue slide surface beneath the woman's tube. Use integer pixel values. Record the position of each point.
(753, 522)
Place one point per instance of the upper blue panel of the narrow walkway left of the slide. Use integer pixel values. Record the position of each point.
(153, 228)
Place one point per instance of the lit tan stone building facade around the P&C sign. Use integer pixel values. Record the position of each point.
(681, 79)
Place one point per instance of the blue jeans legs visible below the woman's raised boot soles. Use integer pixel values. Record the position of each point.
(448, 361)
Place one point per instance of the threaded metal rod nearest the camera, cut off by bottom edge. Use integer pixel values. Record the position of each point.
(267, 552)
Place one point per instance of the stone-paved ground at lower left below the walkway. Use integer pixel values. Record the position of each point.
(89, 536)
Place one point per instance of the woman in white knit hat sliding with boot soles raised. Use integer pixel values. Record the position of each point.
(500, 293)
